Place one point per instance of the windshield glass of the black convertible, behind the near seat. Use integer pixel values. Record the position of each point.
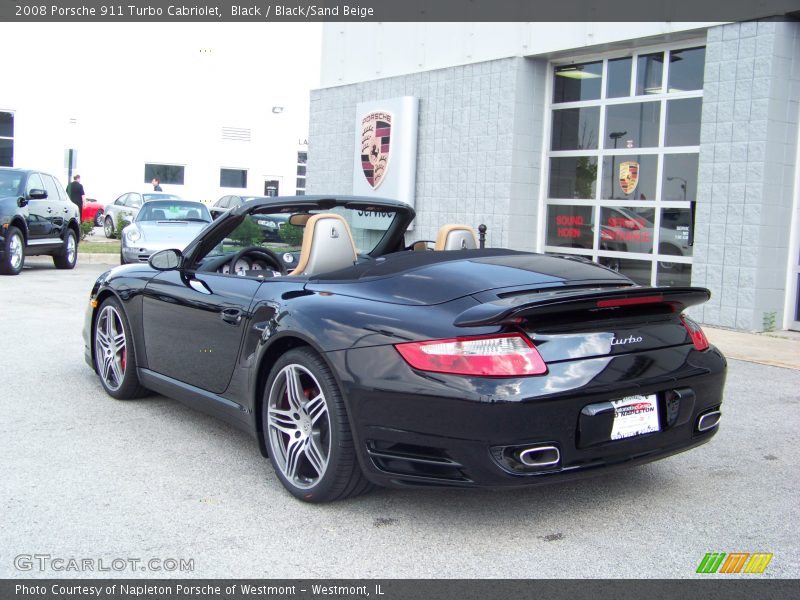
(275, 232)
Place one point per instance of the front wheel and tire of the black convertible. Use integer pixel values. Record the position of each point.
(115, 365)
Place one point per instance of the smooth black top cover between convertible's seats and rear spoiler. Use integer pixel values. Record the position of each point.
(423, 278)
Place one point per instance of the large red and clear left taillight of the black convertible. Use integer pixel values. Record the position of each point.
(506, 355)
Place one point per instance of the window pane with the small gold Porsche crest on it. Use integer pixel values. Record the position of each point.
(629, 177)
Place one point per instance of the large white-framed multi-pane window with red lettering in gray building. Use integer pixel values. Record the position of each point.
(623, 160)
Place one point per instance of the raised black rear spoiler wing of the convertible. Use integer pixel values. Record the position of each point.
(548, 302)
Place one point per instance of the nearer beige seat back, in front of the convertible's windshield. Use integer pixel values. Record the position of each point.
(327, 245)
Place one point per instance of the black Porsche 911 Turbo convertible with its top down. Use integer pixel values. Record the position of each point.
(355, 360)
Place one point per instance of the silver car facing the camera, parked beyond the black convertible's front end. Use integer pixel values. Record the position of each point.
(162, 224)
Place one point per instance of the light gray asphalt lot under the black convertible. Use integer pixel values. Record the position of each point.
(84, 476)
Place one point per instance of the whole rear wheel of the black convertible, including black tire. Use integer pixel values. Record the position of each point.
(309, 440)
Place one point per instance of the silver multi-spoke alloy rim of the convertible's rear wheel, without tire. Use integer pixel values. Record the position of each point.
(299, 426)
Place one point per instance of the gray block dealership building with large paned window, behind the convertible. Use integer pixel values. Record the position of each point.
(669, 152)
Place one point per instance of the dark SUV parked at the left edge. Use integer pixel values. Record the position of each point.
(36, 217)
